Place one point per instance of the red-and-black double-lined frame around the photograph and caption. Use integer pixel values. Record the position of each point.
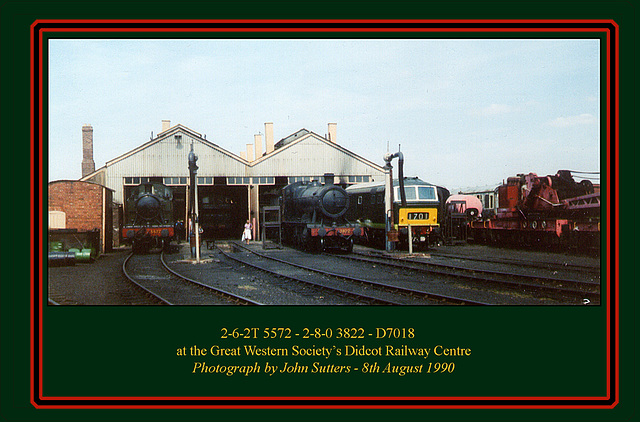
(608, 28)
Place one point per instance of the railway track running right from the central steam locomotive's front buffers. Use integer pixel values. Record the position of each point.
(578, 291)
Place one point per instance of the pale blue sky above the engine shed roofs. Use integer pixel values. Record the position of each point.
(465, 112)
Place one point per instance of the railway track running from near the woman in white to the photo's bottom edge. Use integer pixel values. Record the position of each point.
(385, 293)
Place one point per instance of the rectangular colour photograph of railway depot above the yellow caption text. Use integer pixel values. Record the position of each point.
(325, 172)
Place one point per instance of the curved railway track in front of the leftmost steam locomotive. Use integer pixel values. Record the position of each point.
(152, 274)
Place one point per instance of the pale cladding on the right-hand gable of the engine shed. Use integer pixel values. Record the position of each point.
(314, 157)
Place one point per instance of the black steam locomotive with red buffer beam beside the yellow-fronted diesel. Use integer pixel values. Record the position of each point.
(313, 216)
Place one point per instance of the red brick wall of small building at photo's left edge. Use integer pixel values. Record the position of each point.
(81, 201)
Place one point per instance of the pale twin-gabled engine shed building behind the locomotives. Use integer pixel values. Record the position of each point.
(248, 181)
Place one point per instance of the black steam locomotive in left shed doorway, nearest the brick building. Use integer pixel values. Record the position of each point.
(148, 217)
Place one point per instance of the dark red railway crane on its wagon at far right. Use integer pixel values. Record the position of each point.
(552, 210)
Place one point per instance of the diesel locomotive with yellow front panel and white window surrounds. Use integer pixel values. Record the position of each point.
(424, 211)
